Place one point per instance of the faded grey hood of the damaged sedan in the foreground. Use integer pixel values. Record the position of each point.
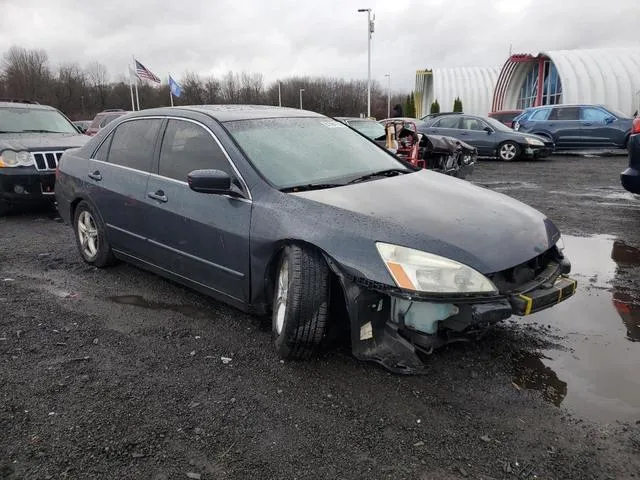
(443, 215)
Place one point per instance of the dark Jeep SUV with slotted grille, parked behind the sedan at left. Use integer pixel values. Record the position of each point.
(32, 139)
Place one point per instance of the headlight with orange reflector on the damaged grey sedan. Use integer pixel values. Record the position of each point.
(424, 272)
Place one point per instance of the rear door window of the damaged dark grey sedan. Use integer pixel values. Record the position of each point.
(133, 143)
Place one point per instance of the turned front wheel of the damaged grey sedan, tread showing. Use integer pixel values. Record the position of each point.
(300, 303)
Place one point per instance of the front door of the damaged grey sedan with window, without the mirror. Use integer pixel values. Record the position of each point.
(200, 237)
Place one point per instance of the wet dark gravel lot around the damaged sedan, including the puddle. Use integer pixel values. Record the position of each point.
(118, 373)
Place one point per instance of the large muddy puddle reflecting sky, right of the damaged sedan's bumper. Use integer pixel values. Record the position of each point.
(597, 376)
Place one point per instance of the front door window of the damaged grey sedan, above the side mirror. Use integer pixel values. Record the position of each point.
(186, 147)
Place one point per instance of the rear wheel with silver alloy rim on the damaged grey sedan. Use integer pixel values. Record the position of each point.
(91, 237)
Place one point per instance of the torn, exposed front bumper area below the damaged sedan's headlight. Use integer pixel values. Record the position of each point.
(394, 327)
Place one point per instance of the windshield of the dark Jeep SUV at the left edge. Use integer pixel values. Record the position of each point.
(17, 120)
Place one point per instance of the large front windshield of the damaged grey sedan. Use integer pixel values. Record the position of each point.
(303, 151)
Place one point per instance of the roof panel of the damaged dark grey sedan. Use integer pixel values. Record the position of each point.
(230, 113)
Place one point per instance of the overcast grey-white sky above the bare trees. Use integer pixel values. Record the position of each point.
(294, 37)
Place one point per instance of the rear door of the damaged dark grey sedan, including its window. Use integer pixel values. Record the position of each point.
(118, 174)
